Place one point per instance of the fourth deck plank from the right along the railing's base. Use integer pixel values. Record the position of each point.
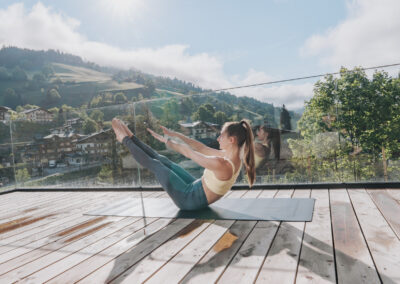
(353, 259)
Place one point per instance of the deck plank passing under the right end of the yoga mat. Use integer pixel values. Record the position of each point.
(281, 262)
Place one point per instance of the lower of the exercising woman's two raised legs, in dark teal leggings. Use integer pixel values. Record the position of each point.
(180, 191)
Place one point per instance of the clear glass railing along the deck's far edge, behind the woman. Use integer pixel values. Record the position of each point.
(76, 147)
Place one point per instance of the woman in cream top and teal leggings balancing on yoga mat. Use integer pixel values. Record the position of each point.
(221, 166)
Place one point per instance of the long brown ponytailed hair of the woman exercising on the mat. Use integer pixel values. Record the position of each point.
(244, 134)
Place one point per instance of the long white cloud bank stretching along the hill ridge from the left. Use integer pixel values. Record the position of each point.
(43, 28)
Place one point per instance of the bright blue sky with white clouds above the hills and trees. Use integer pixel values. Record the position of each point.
(215, 44)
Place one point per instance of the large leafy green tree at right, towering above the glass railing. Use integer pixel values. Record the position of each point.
(365, 112)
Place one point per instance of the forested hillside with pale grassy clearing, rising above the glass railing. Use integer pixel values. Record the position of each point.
(52, 78)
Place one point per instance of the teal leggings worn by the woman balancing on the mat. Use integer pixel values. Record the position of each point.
(186, 191)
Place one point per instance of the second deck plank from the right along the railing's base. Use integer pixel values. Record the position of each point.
(389, 208)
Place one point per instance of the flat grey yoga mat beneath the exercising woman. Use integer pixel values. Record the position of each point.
(266, 209)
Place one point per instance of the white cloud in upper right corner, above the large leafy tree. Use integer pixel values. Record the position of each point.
(369, 36)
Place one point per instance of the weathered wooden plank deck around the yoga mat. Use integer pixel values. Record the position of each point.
(354, 238)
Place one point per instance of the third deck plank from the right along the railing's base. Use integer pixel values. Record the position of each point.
(382, 242)
